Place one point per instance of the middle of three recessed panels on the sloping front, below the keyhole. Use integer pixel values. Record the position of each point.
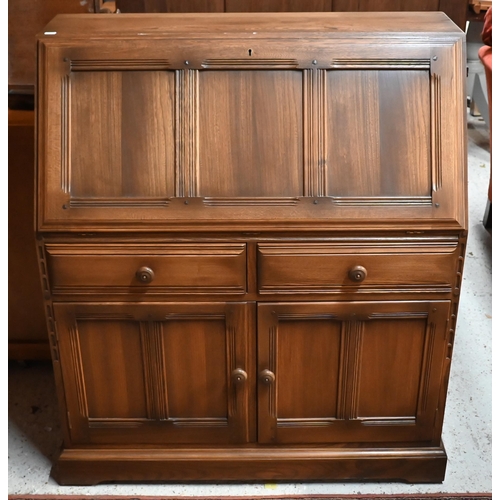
(246, 160)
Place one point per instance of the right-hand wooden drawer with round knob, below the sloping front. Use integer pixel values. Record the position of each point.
(365, 266)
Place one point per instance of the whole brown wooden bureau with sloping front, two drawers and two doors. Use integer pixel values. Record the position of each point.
(251, 235)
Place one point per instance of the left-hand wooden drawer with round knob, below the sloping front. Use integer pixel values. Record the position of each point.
(156, 268)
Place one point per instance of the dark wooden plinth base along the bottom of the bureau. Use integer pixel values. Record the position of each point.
(94, 466)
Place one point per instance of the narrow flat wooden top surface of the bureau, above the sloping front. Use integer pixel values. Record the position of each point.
(253, 25)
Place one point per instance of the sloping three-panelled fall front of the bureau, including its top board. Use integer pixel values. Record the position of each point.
(148, 132)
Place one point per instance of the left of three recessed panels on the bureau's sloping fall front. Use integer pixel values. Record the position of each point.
(121, 142)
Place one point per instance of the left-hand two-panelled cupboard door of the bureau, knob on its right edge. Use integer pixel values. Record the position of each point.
(154, 373)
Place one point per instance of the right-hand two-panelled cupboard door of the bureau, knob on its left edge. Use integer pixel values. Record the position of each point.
(350, 372)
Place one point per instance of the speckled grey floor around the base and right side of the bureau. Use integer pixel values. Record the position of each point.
(34, 436)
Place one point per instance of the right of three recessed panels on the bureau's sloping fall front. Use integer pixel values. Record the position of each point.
(379, 134)
